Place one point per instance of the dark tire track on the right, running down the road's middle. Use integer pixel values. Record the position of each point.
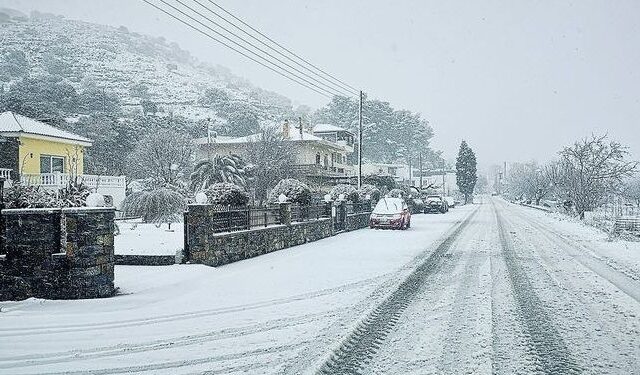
(545, 343)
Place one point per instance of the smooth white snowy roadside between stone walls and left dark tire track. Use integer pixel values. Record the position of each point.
(255, 315)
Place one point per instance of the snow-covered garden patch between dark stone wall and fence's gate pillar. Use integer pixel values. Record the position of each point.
(137, 238)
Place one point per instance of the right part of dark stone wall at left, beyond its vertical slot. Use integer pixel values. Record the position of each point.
(89, 246)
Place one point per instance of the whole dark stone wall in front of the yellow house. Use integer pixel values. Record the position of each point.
(57, 253)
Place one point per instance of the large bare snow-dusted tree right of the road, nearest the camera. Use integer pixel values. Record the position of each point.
(591, 169)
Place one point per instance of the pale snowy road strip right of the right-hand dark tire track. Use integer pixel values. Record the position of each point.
(585, 305)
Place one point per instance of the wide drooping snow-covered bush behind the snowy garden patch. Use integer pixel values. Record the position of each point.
(155, 206)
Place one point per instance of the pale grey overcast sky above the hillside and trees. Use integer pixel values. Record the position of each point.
(517, 80)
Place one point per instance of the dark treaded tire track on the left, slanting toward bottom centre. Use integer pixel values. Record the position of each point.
(360, 345)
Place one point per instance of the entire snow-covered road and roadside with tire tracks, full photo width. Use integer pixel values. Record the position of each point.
(491, 288)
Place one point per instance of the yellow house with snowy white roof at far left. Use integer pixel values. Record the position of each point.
(31, 147)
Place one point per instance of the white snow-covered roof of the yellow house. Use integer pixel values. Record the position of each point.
(14, 123)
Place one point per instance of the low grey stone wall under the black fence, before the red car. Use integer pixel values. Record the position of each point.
(216, 249)
